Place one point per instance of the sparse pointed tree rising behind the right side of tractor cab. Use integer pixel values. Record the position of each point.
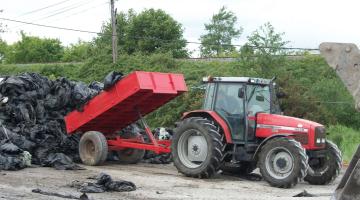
(265, 46)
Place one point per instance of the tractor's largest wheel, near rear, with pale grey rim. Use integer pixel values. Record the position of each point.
(197, 147)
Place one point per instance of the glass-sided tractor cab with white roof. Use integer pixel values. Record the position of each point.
(237, 100)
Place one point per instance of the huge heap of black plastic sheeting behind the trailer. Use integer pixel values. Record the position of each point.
(32, 128)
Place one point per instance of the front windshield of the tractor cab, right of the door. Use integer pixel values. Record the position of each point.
(258, 99)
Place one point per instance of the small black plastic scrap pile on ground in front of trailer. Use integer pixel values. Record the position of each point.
(104, 183)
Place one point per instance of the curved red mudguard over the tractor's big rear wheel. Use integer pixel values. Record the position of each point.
(212, 114)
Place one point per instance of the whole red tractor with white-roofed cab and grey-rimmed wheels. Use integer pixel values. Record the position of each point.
(241, 128)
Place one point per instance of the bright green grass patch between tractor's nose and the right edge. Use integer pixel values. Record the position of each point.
(346, 138)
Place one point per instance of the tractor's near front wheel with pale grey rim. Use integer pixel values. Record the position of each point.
(283, 162)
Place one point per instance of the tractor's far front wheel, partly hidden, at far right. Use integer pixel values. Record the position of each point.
(326, 169)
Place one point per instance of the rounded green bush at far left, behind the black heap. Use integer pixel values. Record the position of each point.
(32, 49)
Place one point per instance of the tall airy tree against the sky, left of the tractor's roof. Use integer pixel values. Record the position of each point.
(220, 33)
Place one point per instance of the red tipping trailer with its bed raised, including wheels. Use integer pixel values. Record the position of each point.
(134, 96)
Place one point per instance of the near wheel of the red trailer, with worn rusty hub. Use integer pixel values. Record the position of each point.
(93, 148)
